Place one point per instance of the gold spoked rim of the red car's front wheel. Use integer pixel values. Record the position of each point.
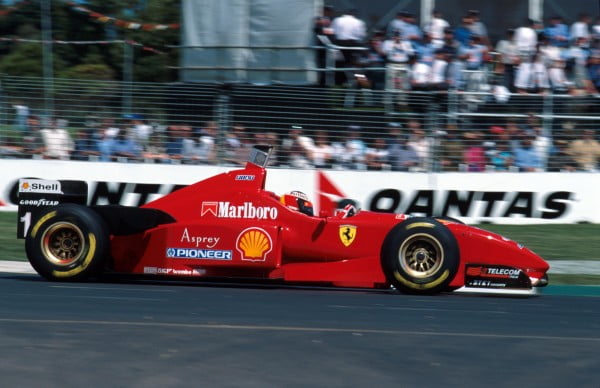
(421, 255)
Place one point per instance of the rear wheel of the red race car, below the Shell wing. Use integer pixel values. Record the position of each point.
(69, 242)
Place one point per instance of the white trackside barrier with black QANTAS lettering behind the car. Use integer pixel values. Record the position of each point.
(509, 198)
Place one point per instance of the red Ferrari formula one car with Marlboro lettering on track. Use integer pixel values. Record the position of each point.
(229, 226)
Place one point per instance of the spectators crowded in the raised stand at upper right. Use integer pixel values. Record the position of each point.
(531, 58)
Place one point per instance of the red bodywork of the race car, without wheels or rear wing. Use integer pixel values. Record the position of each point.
(230, 226)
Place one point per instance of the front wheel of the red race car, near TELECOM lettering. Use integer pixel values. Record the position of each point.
(420, 256)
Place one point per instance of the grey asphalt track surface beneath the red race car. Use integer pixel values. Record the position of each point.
(150, 333)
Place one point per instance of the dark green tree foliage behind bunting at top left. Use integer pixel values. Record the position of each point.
(104, 60)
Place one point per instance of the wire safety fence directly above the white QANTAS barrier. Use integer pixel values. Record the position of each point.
(247, 114)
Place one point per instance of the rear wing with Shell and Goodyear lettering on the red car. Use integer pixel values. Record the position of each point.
(37, 194)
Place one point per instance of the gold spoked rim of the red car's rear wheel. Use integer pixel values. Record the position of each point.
(63, 243)
